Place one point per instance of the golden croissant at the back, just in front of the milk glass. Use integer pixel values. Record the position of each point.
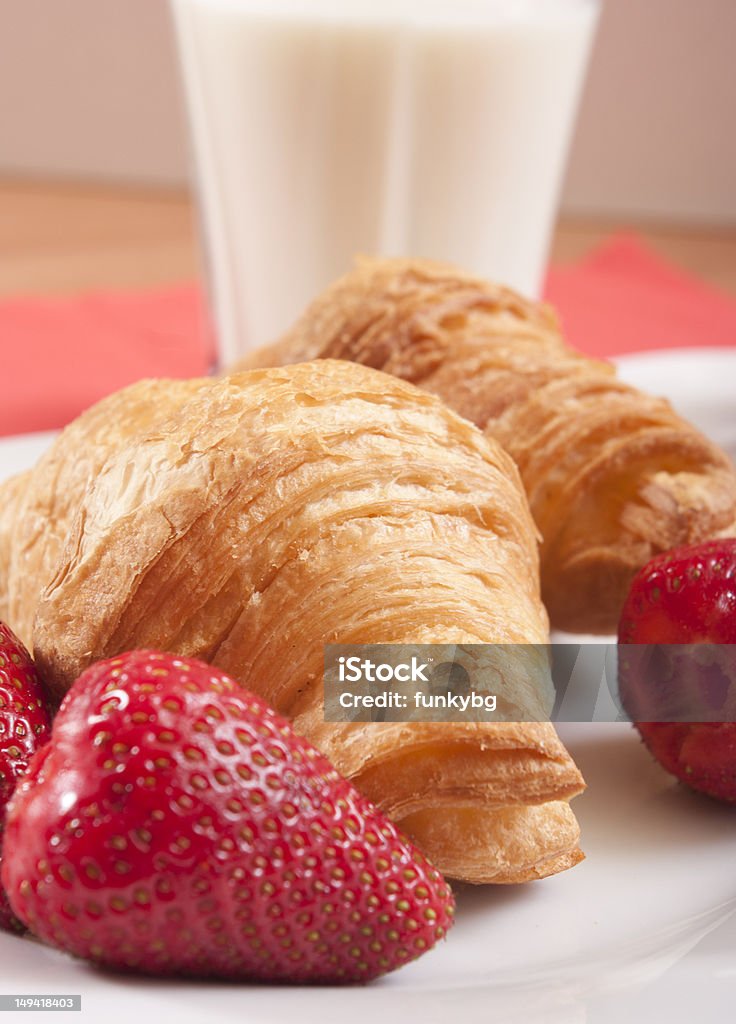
(614, 477)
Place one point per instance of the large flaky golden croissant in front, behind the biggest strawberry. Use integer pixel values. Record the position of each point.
(272, 513)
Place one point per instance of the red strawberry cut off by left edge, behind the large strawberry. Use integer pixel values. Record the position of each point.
(24, 728)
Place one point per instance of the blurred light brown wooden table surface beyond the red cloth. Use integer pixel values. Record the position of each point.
(59, 238)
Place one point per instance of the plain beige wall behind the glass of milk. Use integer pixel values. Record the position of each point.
(90, 88)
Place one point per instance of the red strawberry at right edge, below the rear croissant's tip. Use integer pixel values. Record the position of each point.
(685, 601)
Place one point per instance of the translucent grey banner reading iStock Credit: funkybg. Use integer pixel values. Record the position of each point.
(560, 682)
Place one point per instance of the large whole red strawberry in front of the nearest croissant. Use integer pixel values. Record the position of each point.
(177, 825)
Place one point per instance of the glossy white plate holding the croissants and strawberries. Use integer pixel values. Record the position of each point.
(643, 931)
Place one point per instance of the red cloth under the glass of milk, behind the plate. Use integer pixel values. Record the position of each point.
(61, 356)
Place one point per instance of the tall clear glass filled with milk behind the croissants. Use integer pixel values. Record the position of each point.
(327, 129)
